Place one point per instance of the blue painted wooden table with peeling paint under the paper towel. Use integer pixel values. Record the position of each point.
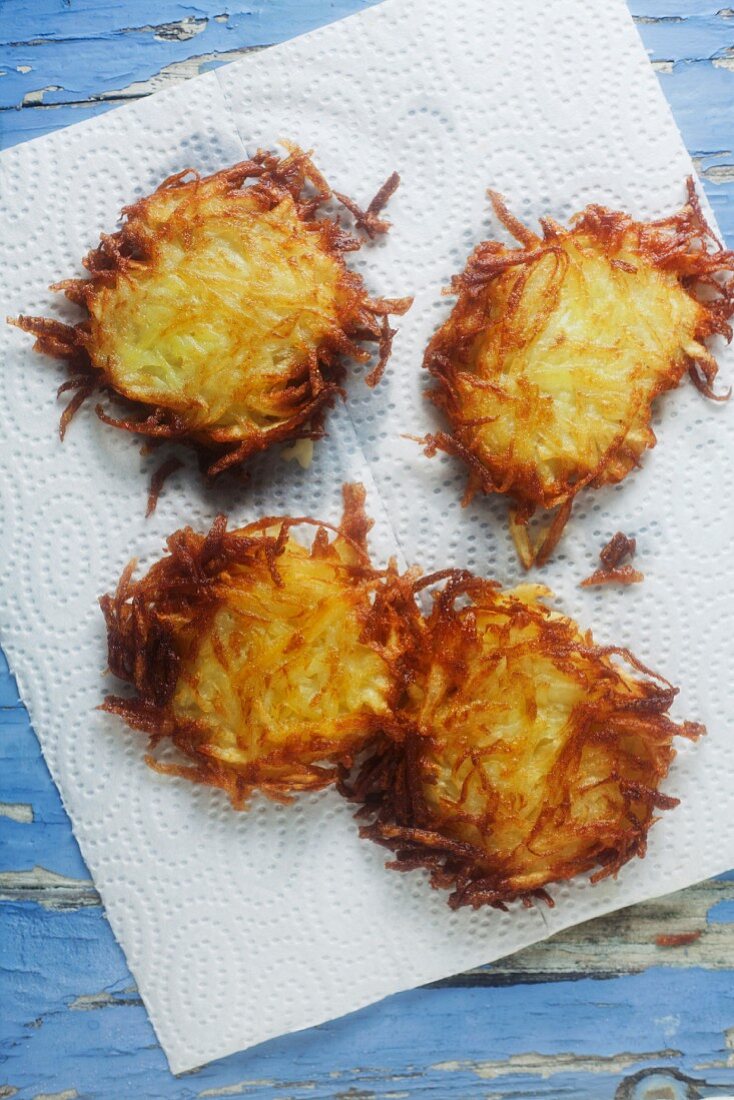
(601, 1011)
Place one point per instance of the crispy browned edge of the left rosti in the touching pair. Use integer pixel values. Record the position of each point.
(143, 652)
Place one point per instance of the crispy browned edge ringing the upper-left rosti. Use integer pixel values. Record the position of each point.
(312, 393)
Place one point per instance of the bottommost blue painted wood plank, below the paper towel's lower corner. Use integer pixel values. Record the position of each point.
(578, 1040)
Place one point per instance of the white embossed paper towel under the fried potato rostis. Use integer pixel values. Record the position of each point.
(243, 927)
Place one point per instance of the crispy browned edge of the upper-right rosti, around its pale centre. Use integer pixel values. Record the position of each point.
(683, 243)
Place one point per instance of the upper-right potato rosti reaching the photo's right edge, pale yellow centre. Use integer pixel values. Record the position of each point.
(555, 351)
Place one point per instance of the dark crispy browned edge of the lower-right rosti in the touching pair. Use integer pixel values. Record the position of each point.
(388, 785)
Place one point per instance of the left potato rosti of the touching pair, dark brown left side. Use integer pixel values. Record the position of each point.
(264, 661)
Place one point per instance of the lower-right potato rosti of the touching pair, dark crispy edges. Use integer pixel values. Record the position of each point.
(530, 755)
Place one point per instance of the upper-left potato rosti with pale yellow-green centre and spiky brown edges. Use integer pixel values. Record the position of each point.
(225, 313)
